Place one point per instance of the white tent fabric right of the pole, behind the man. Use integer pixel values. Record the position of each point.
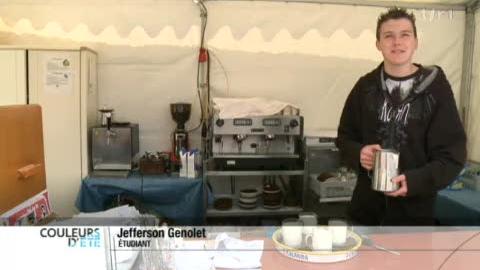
(315, 68)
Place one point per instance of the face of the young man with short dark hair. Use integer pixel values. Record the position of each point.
(397, 42)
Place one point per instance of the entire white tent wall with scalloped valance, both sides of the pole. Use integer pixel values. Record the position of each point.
(307, 54)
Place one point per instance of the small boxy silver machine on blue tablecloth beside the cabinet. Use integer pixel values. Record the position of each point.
(114, 146)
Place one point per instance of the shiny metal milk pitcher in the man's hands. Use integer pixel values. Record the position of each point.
(385, 168)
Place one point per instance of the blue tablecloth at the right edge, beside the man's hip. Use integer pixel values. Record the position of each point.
(458, 207)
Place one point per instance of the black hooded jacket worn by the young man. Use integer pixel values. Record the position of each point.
(425, 128)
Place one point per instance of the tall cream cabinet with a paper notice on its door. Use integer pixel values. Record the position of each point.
(63, 82)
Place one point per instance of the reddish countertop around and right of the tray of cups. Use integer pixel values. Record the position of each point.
(420, 250)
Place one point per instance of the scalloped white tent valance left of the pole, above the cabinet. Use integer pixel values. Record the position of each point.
(122, 15)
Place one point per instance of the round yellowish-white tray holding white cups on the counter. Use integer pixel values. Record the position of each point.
(337, 255)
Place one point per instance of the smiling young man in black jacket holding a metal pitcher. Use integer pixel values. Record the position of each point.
(407, 107)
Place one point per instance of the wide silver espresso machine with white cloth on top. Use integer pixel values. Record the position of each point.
(260, 142)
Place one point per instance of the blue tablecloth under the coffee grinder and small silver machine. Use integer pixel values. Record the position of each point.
(179, 199)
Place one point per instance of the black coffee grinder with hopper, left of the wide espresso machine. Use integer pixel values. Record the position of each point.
(180, 114)
